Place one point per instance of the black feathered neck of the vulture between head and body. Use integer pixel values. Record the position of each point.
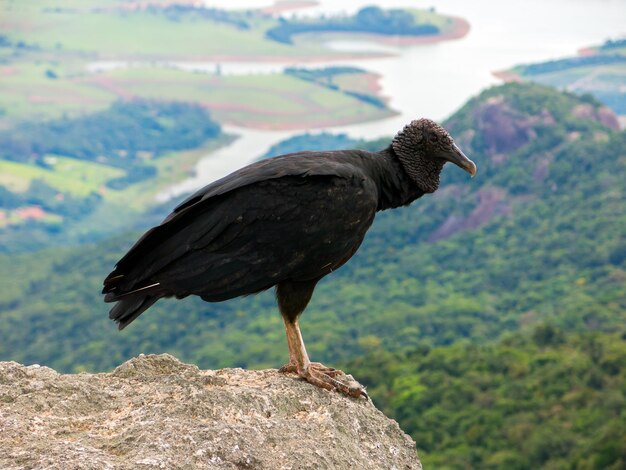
(395, 187)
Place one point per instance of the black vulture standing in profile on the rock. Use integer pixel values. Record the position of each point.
(283, 223)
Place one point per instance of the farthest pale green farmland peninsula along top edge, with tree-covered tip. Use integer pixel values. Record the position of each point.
(181, 32)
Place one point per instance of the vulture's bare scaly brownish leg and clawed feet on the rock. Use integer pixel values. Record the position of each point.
(313, 372)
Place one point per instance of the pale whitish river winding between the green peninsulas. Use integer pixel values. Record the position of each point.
(432, 80)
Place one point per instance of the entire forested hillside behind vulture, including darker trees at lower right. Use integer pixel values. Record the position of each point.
(527, 260)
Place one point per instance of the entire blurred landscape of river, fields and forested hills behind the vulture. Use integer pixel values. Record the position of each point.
(489, 319)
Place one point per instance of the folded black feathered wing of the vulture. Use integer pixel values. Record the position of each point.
(288, 218)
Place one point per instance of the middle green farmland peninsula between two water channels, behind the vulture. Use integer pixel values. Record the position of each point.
(274, 100)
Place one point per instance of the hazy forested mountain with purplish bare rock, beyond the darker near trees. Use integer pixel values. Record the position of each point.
(537, 236)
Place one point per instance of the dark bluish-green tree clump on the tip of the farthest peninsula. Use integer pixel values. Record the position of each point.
(370, 19)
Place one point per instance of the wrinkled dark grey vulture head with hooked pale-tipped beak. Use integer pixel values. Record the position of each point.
(423, 147)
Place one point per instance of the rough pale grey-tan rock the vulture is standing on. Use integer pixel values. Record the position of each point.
(156, 412)
